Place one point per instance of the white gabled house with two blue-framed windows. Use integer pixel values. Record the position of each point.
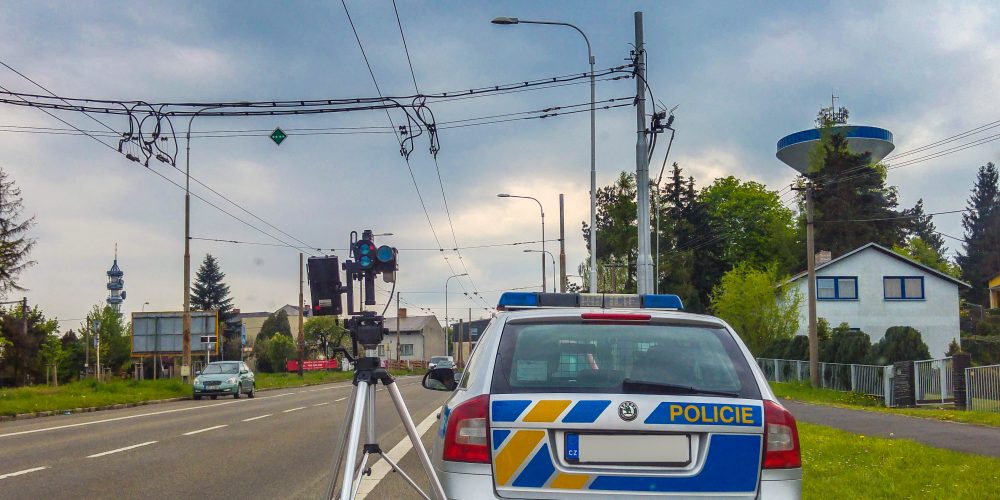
(873, 288)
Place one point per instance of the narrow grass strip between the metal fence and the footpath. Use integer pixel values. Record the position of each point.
(803, 392)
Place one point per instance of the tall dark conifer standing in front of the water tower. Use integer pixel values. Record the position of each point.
(851, 188)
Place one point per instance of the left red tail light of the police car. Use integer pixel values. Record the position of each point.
(466, 438)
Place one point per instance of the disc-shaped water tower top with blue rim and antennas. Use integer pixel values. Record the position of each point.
(793, 149)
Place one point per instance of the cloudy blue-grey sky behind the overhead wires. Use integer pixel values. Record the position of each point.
(741, 74)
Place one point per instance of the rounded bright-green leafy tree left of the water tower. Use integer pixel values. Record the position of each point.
(755, 227)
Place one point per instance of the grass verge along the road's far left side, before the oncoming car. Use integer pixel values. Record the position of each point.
(88, 393)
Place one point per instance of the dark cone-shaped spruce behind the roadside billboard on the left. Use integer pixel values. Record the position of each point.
(210, 293)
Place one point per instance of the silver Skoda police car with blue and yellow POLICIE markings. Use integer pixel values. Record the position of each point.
(601, 395)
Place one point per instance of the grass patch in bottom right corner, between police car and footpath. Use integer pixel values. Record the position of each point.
(838, 464)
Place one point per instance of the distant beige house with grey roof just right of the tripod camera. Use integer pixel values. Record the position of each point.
(420, 337)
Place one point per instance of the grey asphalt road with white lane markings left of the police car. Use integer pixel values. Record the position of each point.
(278, 445)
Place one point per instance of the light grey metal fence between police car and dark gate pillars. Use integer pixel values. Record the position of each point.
(873, 380)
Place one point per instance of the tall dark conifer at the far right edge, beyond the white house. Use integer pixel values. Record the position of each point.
(981, 221)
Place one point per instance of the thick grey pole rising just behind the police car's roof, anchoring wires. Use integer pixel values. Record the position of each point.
(644, 261)
